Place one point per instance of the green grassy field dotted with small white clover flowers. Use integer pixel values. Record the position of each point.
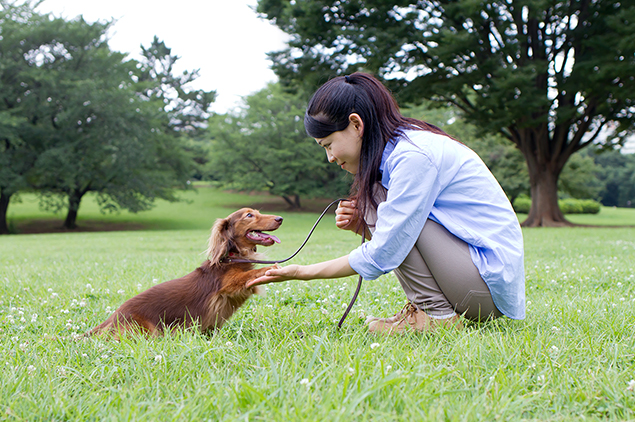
(281, 357)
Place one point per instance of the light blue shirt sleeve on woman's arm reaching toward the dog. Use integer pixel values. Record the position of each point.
(413, 186)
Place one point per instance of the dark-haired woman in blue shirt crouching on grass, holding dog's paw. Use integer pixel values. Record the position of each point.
(436, 215)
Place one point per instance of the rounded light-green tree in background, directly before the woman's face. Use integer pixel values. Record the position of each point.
(263, 146)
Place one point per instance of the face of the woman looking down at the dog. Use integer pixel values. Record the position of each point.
(344, 147)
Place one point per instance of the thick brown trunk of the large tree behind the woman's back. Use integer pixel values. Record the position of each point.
(544, 211)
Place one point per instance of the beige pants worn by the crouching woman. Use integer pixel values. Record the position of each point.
(439, 277)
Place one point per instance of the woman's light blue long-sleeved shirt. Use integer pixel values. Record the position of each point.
(437, 178)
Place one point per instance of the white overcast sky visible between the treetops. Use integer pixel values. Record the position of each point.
(224, 39)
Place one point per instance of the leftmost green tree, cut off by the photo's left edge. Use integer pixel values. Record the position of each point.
(23, 131)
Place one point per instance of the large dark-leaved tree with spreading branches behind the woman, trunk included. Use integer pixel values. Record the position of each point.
(551, 76)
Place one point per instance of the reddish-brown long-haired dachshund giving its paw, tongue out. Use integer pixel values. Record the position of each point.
(209, 295)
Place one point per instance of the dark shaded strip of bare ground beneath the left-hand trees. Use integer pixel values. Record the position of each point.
(55, 226)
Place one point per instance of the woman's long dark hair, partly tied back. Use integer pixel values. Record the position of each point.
(329, 109)
